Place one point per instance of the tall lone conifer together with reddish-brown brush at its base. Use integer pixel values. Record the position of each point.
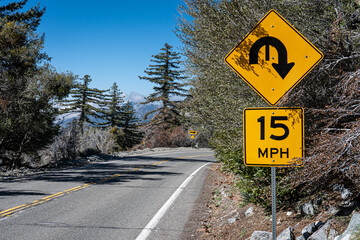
(165, 129)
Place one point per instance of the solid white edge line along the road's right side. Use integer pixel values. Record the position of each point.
(156, 219)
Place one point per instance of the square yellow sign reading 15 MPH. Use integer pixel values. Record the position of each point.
(273, 137)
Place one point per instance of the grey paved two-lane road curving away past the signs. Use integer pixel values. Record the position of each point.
(111, 200)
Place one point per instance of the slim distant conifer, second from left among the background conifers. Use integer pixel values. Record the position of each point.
(112, 109)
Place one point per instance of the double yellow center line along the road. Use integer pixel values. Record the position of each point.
(11, 211)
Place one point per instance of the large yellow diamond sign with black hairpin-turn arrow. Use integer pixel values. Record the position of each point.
(273, 57)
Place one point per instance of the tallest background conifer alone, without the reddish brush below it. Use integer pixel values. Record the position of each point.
(166, 76)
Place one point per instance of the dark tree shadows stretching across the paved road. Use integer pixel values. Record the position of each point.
(119, 169)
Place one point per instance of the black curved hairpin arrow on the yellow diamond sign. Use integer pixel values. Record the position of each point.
(282, 67)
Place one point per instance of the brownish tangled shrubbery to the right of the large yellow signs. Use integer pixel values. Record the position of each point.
(330, 95)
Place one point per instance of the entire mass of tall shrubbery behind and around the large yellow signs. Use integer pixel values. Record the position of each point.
(329, 94)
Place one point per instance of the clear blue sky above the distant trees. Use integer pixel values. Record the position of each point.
(109, 40)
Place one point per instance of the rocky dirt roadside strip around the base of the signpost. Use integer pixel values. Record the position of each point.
(222, 213)
